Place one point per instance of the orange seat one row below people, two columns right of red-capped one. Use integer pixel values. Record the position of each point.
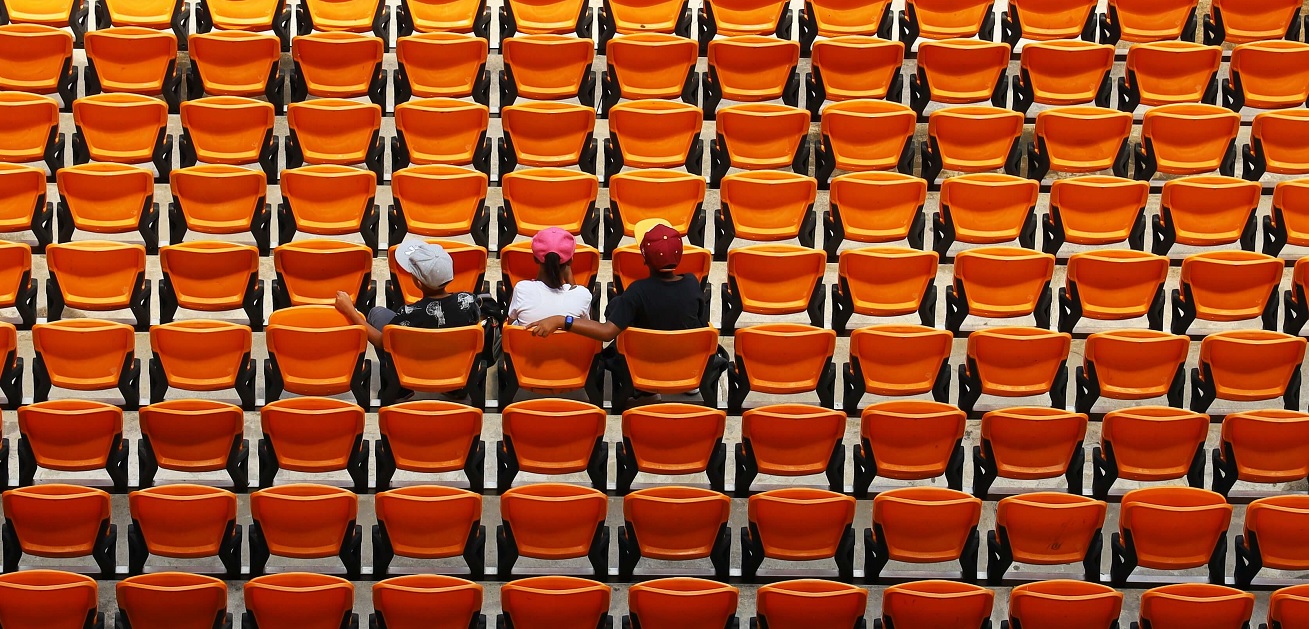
(910, 440)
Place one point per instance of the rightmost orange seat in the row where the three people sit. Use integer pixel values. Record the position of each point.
(1248, 365)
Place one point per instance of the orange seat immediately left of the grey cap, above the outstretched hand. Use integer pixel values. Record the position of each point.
(311, 273)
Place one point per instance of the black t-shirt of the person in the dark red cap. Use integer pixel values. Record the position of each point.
(654, 304)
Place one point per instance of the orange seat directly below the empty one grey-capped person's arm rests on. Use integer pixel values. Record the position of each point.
(314, 435)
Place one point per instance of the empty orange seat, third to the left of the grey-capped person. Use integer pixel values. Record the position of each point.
(86, 355)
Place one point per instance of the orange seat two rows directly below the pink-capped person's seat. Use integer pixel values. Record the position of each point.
(552, 521)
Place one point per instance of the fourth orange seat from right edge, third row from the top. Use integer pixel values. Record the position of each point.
(972, 141)
